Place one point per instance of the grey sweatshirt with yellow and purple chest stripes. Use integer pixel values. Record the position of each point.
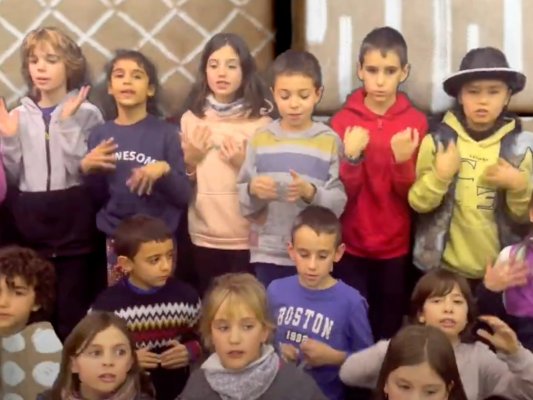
(314, 155)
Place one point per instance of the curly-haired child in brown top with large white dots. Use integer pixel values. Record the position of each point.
(31, 351)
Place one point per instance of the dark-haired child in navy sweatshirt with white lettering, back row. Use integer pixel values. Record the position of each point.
(135, 164)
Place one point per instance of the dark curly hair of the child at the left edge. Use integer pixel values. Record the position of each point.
(36, 271)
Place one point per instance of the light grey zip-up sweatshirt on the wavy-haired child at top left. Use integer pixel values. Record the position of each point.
(28, 164)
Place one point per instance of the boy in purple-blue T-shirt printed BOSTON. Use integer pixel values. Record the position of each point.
(320, 320)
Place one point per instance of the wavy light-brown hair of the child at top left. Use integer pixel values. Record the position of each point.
(67, 49)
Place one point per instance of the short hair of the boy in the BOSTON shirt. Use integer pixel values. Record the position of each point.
(320, 220)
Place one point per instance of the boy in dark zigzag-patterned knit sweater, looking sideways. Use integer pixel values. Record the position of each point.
(160, 311)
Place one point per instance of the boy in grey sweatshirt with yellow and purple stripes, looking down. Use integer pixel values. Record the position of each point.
(291, 163)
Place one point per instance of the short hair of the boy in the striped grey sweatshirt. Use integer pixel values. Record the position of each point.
(294, 62)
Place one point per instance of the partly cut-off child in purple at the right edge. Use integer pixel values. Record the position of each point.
(507, 288)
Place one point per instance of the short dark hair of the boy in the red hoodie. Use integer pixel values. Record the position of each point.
(384, 39)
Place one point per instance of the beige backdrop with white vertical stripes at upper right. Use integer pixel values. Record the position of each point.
(438, 34)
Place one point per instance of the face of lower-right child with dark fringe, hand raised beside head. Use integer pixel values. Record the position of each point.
(448, 313)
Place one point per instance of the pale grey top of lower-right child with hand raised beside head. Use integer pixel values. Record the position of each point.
(483, 372)
